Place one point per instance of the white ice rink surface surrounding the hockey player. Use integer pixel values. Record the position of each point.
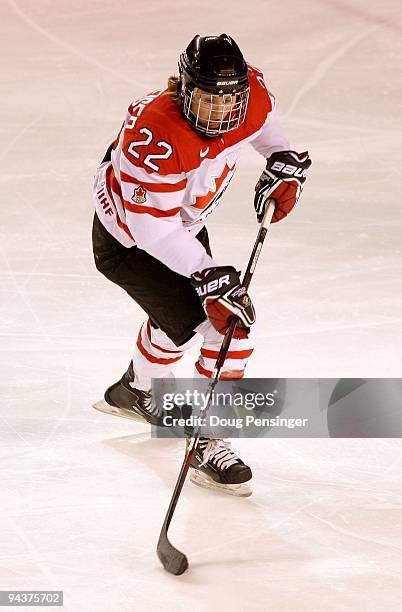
(83, 494)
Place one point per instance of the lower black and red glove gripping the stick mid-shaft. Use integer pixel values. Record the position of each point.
(223, 297)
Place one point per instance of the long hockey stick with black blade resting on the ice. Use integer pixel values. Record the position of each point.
(171, 558)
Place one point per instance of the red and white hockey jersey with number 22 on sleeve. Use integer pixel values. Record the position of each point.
(165, 178)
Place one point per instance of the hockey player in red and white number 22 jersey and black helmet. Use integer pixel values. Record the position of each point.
(172, 160)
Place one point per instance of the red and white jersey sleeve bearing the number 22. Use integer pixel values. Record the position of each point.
(152, 190)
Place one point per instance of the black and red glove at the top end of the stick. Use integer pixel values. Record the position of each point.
(281, 181)
